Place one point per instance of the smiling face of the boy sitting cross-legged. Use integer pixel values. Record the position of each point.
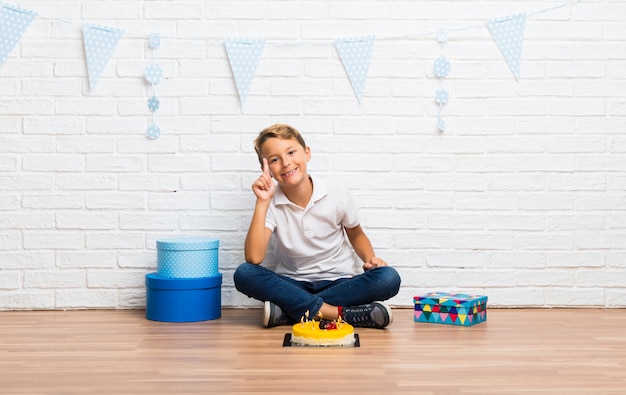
(287, 160)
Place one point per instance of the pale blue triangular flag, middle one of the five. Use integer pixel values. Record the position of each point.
(244, 55)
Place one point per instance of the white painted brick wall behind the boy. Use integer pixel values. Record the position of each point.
(523, 198)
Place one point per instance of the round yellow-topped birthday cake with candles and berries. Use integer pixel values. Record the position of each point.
(323, 333)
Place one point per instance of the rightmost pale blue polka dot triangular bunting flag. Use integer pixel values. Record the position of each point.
(508, 32)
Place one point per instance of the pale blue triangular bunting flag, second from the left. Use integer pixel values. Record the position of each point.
(100, 42)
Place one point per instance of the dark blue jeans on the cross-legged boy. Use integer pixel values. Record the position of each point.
(296, 297)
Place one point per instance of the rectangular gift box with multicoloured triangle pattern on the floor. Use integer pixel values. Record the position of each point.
(450, 308)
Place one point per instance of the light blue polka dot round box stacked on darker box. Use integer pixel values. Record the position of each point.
(187, 257)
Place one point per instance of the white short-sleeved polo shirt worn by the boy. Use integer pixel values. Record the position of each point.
(310, 242)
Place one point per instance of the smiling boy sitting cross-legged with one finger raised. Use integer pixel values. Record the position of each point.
(315, 226)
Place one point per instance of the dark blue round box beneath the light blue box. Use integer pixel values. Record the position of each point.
(183, 299)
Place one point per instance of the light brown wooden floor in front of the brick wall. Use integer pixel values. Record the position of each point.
(528, 351)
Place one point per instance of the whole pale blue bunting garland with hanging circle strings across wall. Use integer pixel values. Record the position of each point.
(244, 53)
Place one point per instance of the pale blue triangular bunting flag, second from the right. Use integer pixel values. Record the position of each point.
(355, 54)
